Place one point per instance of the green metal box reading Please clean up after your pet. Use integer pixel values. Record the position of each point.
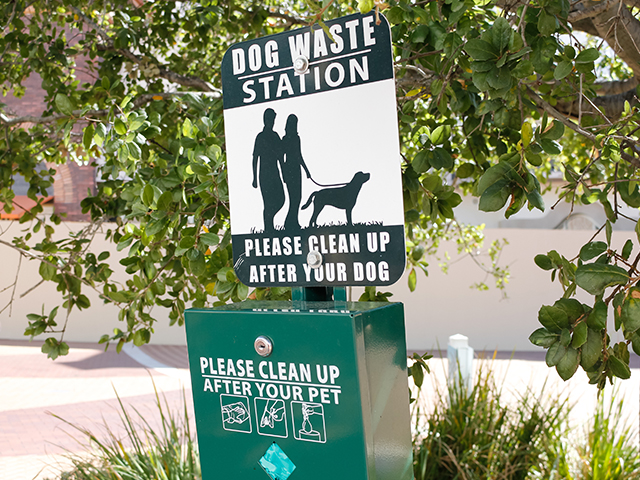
(317, 392)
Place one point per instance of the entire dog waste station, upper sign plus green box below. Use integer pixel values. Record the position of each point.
(314, 388)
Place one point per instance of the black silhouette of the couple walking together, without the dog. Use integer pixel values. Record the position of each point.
(271, 152)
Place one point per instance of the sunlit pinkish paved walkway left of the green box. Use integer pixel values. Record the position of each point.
(79, 388)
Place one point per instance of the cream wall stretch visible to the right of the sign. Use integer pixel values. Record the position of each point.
(444, 304)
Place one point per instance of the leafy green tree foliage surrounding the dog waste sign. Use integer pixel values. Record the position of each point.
(489, 93)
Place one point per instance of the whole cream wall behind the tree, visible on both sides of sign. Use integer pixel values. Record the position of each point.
(442, 305)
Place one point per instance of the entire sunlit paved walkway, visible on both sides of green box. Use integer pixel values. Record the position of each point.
(81, 389)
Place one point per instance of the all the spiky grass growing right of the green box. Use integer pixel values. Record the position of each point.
(482, 435)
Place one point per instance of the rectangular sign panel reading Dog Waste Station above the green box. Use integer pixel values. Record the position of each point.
(313, 156)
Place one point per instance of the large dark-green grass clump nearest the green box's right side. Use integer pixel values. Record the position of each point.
(477, 435)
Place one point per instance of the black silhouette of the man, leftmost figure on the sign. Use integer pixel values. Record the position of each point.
(267, 155)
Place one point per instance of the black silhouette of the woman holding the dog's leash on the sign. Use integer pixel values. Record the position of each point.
(291, 170)
